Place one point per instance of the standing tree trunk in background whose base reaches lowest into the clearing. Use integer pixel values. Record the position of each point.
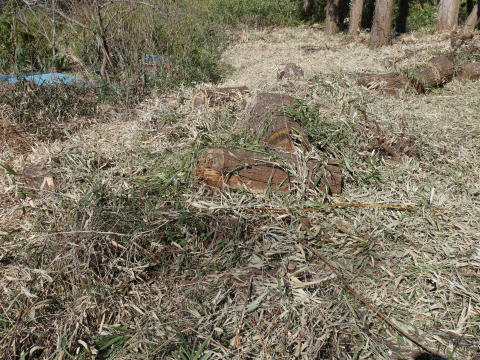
(382, 23)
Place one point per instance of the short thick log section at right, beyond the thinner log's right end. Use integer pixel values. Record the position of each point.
(436, 72)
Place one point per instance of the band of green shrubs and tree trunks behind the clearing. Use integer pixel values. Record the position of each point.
(109, 39)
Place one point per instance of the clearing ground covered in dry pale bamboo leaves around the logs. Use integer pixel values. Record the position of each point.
(121, 252)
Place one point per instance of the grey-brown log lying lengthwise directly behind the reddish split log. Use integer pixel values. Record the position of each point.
(267, 117)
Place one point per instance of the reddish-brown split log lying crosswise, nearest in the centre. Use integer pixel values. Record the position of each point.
(241, 169)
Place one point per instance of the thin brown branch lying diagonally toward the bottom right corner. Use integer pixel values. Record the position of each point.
(365, 302)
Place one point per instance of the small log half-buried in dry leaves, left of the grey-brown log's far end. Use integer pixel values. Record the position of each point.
(218, 96)
